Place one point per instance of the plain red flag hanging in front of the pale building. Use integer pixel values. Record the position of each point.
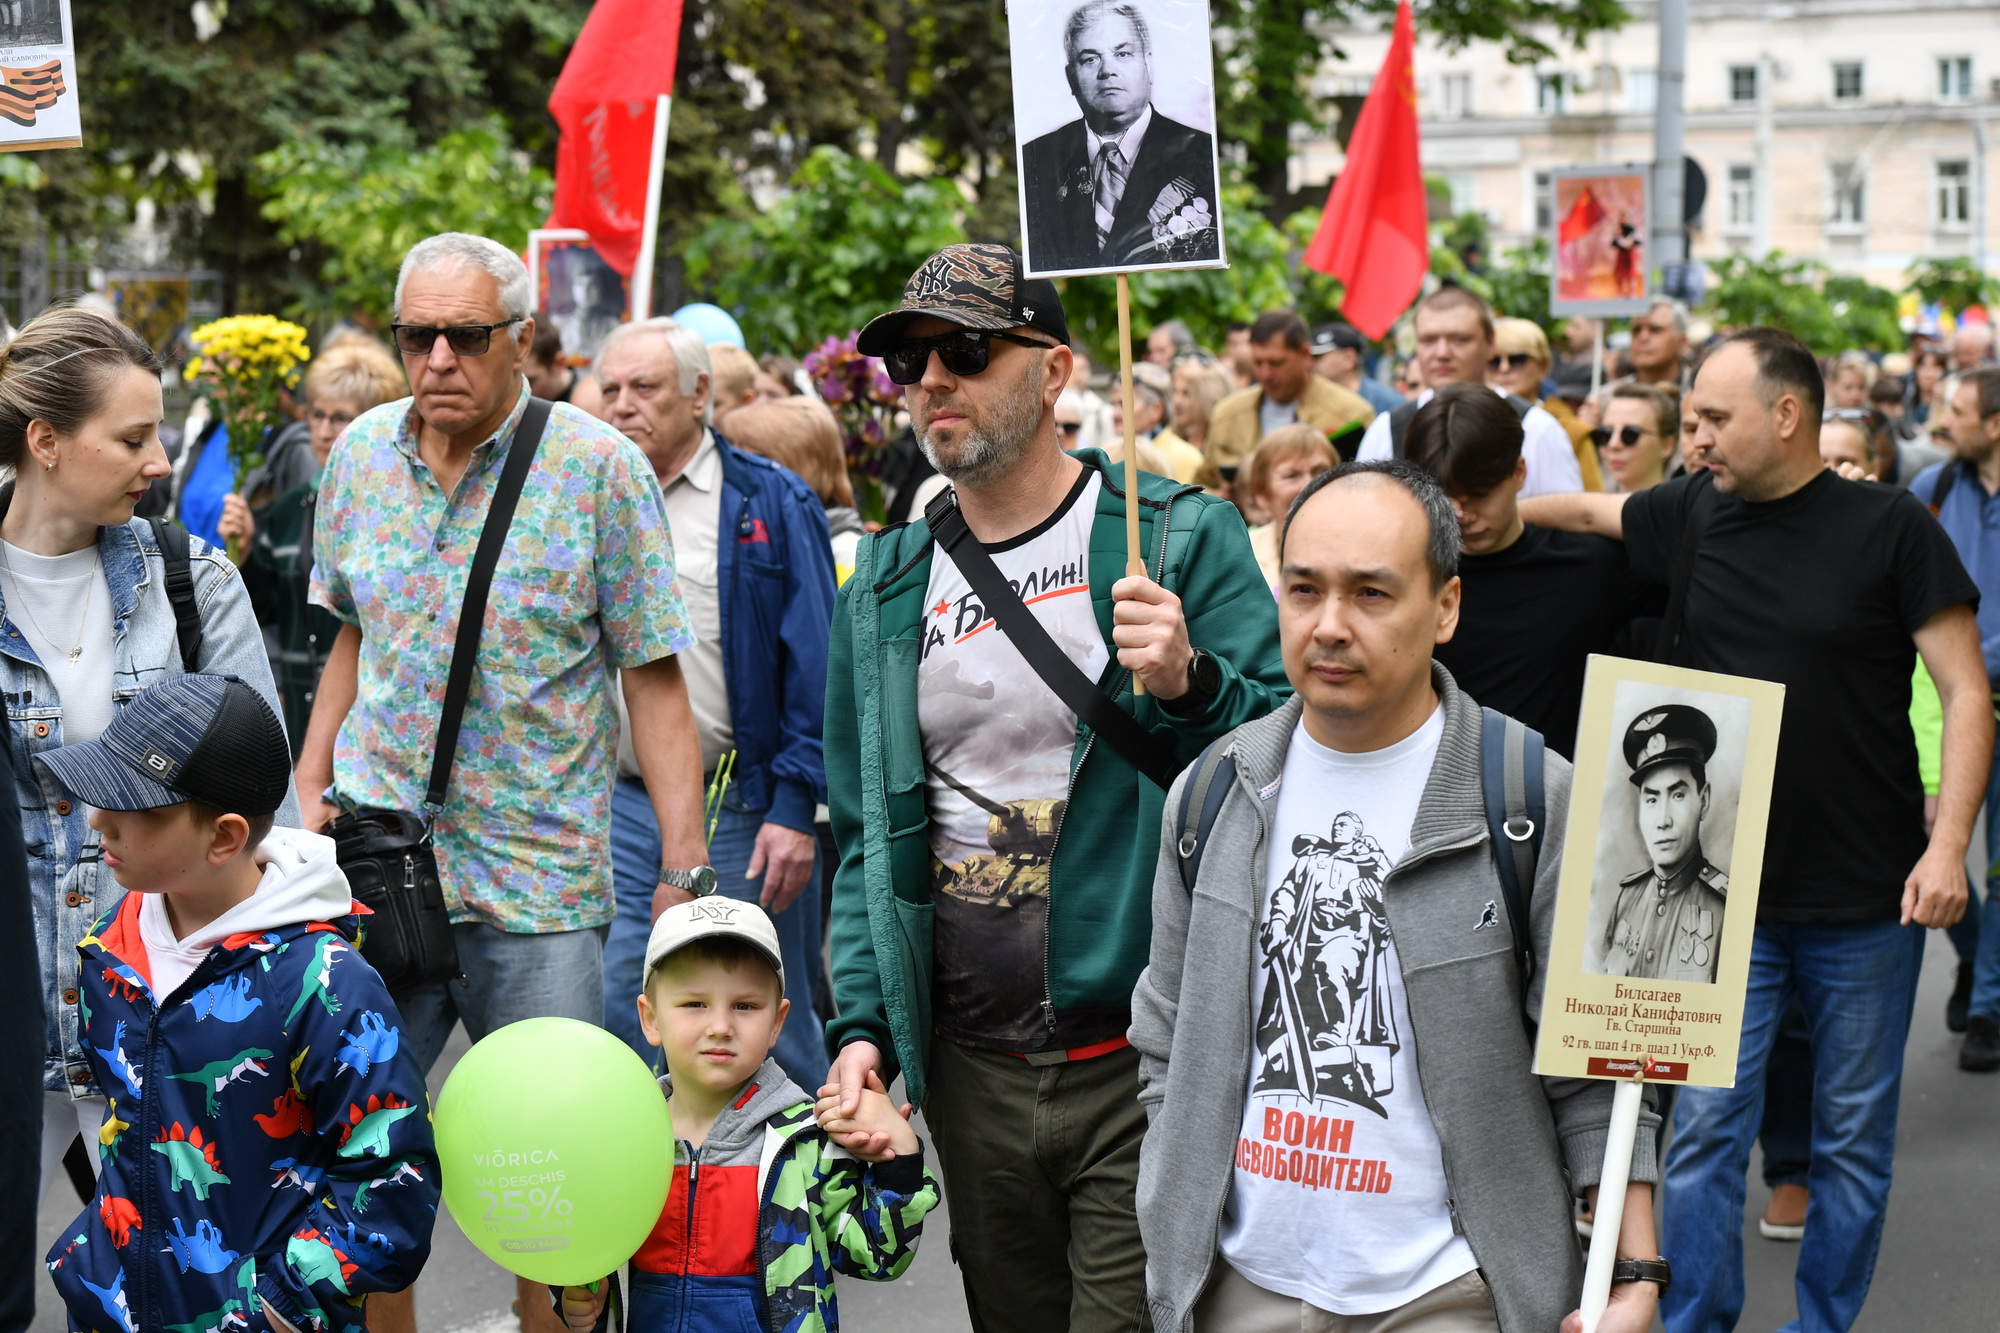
(1375, 233)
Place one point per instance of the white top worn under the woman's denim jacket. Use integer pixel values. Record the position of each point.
(67, 597)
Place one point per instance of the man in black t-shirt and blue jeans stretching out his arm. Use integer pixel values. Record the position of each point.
(1829, 587)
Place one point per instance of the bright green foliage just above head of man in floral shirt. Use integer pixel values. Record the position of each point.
(365, 205)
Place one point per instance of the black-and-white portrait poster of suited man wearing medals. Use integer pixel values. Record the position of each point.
(1115, 115)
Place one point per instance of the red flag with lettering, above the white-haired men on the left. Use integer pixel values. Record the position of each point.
(605, 105)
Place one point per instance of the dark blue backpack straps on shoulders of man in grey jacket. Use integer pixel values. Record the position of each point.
(1517, 812)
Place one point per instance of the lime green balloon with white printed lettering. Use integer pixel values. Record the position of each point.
(557, 1150)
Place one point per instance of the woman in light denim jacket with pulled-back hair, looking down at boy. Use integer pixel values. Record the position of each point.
(85, 625)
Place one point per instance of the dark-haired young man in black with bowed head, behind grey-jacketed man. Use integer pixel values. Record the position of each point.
(1537, 601)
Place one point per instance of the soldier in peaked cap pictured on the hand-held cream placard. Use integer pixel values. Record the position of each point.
(1667, 924)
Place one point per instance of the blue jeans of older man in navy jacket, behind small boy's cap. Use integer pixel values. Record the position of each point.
(637, 874)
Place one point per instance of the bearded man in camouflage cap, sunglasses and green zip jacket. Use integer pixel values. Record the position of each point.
(993, 908)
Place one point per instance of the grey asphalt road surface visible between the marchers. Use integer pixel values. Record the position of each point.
(1939, 1268)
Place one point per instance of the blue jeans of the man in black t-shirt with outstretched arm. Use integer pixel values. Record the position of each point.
(1857, 986)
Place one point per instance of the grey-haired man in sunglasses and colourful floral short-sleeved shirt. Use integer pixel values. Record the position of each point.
(585, 587)
